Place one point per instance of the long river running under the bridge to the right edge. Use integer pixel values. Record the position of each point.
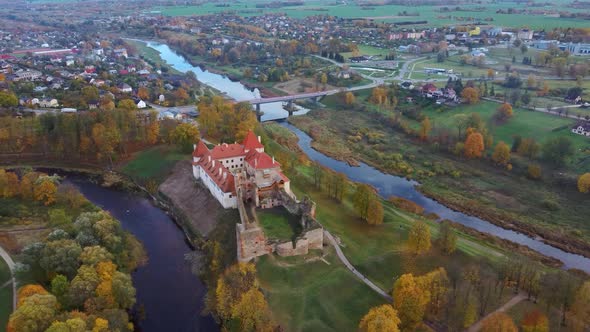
(386, 184)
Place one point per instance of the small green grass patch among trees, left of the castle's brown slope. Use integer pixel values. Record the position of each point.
(154, 163)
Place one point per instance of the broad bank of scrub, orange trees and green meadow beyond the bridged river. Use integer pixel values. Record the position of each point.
(532, 188)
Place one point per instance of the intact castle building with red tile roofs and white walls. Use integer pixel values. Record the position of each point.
(241, 170)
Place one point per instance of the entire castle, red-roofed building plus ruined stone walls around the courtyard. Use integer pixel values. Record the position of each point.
(243, 176)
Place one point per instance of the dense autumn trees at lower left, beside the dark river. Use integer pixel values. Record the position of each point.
(75, 273)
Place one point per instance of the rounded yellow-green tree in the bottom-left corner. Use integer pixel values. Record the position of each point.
(35, 314)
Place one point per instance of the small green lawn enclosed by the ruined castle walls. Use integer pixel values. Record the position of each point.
(278, 223)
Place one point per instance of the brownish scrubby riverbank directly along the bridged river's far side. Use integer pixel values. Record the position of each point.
(339, 142)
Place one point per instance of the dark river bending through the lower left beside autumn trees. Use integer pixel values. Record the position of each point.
(170, 294)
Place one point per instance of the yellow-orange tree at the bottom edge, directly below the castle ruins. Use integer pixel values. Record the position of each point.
(252, 311)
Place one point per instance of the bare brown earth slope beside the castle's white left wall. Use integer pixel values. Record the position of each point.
(200, 208)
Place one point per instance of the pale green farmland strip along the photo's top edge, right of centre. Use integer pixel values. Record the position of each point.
(390, 13)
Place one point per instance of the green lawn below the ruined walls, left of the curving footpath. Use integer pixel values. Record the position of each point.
(314, 296)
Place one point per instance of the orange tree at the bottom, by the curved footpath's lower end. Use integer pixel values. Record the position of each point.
(410, 300)
